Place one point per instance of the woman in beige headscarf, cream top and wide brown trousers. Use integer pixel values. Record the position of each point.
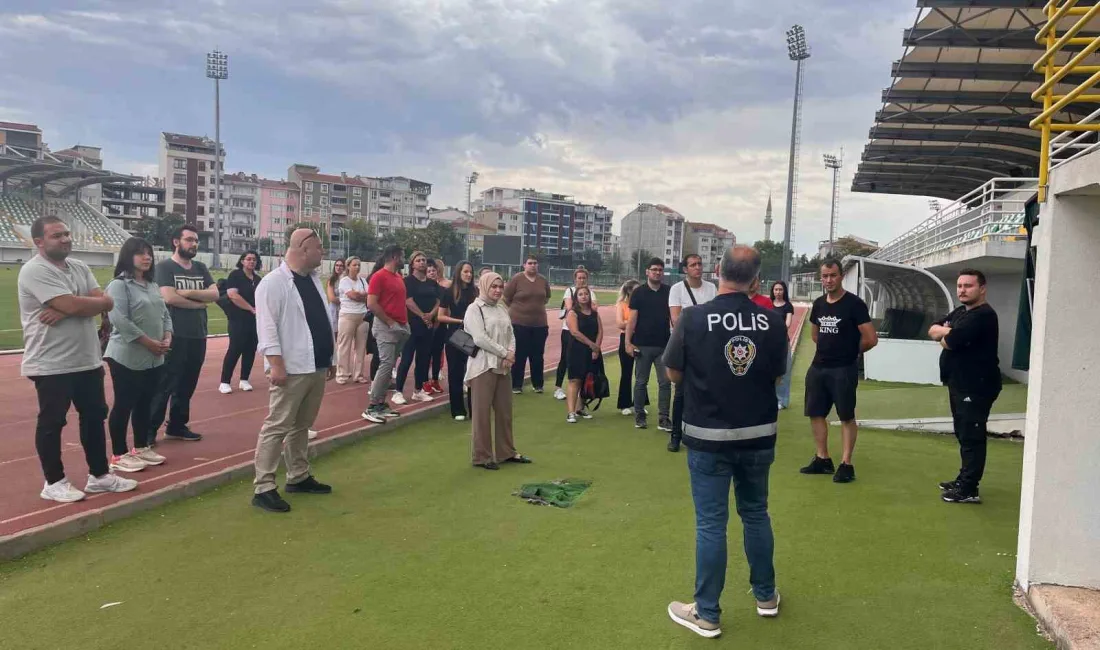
(489, 376)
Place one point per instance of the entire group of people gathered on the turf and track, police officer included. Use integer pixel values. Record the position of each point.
(725, 349)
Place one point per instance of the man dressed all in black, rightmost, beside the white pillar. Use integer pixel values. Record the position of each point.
(969, 366)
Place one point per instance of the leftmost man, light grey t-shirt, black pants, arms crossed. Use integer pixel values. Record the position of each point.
(59, 300)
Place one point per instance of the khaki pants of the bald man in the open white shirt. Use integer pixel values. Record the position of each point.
(293, 410)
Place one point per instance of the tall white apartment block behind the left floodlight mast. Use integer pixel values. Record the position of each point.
(188, 166)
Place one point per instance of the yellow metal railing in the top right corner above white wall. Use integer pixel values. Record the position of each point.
(1062, 149)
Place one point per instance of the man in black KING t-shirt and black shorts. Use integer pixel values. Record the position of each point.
(842, 329)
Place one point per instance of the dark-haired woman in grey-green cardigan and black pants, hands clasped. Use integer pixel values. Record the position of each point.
(141, 336)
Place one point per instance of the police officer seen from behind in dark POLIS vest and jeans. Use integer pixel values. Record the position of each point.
(728, 356)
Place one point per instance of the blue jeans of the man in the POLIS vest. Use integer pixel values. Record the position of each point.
(711, 476)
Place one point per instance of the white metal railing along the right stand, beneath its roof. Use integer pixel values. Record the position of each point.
(995, 211)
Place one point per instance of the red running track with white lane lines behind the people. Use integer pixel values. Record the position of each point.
(228, 423)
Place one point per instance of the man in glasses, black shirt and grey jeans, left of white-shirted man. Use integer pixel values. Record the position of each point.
(647, 334)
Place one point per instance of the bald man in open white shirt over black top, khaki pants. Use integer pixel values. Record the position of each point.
(298, 345)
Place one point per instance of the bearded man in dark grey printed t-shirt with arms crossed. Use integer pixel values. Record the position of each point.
(188, 289)
